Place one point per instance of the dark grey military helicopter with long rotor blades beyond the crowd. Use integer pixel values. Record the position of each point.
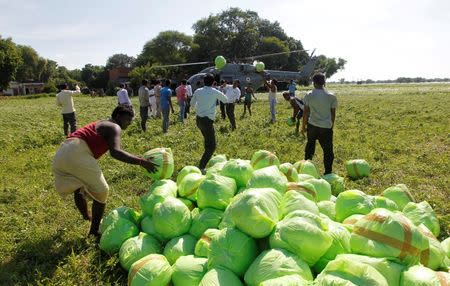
(247, 74)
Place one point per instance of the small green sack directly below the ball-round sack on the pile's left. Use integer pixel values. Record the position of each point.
(179, 246)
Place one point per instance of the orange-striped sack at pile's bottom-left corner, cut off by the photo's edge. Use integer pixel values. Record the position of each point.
(150, 270)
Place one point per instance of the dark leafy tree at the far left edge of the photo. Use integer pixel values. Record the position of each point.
(9, 61)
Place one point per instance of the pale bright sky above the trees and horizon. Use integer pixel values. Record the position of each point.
(382, 39)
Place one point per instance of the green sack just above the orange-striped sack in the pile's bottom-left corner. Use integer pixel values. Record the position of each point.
(137, 247)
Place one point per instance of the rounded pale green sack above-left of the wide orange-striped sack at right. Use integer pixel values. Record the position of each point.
(352, 202)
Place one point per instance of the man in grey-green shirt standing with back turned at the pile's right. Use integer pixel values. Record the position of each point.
(318, 121)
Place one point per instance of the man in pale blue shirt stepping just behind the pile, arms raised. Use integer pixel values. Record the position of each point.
(204, 100)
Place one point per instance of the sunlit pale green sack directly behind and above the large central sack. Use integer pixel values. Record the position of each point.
(268, 177)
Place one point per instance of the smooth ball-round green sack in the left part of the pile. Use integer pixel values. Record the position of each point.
(171, 218)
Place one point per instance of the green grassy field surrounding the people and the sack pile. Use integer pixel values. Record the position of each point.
(403, 131)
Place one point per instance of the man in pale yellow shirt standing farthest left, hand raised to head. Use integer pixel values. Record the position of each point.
(65, 100)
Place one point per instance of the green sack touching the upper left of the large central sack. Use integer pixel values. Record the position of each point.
(216, 192)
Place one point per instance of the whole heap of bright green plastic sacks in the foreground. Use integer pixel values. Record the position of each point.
(260, 222)
